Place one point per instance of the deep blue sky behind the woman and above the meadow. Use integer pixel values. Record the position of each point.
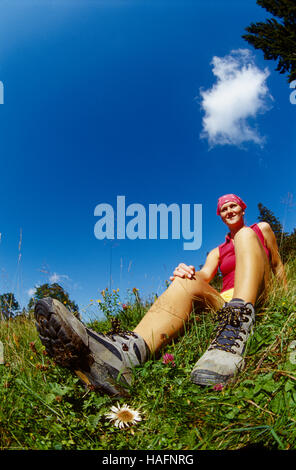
(109, 98)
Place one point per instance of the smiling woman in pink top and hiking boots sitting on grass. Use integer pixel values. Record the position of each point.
(104, 361)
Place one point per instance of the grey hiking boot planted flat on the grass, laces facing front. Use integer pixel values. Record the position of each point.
(224, 358)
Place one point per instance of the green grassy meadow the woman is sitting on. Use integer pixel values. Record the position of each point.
(46, 407)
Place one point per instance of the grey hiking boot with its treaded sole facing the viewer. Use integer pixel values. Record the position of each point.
(101, 361)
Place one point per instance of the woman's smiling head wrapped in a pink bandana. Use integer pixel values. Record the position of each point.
(231, 208)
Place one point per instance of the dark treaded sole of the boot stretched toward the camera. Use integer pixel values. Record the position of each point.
(57, 333)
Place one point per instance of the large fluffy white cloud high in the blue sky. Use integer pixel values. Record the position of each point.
(239, 94)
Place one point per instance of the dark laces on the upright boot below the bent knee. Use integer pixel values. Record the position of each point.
(230, 327)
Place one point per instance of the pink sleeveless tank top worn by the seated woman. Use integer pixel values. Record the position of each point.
(227, 258)
